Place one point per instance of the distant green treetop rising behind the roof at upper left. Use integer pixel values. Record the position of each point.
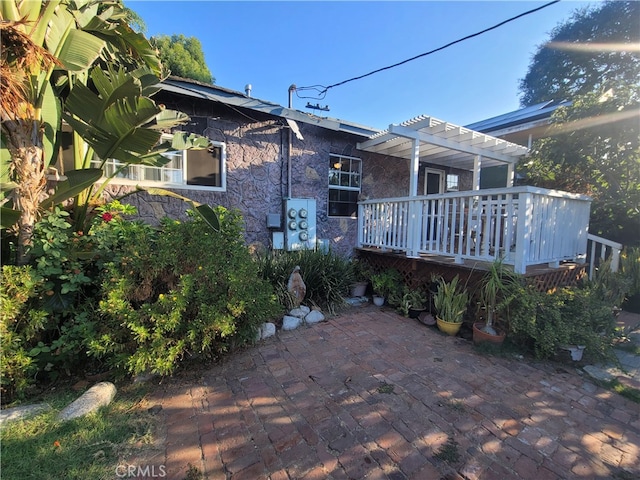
(183, 57)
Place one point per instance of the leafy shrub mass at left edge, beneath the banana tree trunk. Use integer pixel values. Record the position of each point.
(46, 306)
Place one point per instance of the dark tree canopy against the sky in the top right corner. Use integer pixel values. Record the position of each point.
(588, 53)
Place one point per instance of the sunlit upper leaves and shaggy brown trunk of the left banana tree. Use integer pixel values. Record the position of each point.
(48, 49)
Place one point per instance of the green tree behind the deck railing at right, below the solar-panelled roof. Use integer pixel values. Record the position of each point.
(594, 149)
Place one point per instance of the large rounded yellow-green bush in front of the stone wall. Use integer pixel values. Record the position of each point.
(182, 290)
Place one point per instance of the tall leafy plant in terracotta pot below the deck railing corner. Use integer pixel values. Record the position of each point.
(497, 291)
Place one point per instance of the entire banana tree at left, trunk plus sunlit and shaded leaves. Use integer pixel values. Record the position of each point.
(78, 60)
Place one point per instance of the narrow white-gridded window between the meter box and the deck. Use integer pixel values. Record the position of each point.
(345, 176)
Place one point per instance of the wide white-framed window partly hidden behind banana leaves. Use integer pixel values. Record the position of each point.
(187, 169)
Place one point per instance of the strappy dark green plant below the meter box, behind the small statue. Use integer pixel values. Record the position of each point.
(327, 276)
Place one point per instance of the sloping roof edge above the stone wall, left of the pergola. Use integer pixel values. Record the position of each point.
(214, 93)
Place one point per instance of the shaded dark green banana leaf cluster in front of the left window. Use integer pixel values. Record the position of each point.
(118, 120)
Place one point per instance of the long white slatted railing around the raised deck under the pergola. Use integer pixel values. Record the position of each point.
(522, 225)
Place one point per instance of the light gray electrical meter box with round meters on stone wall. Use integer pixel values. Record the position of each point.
(299, 223)
